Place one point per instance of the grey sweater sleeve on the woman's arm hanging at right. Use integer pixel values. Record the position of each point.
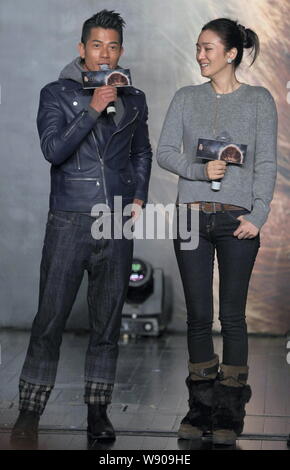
(265, 164)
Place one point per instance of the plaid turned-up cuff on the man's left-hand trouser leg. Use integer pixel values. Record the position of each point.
(33, 397)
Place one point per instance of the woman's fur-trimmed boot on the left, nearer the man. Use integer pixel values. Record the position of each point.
(200, 386)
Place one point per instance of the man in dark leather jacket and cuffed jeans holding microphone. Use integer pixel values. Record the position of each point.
(94, 158)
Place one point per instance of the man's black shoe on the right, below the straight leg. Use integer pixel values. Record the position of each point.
(99, 425)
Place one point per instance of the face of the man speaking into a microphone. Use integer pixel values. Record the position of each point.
(102, 47)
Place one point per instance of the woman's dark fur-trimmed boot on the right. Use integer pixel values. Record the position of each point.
(230, 397)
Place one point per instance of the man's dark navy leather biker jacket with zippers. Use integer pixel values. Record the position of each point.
(81, 174)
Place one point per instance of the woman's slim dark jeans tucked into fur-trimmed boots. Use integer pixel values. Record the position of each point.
(236, 259)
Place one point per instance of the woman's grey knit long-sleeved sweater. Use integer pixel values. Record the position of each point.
(248, 115)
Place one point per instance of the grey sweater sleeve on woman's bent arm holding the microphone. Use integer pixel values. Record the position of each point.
(169, 155)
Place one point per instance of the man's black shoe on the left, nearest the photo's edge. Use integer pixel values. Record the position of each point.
(25, 429)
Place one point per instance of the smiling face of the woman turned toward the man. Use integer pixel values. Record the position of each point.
(211, 55)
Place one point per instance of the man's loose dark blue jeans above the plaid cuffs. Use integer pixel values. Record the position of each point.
(69, 249)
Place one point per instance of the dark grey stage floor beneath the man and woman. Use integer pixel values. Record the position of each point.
(150, 397)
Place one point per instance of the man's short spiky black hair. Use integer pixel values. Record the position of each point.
(104, 19)
